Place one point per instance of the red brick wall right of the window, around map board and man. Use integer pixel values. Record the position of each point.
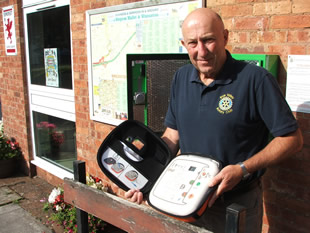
(256, 26)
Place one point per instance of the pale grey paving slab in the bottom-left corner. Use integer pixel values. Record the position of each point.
(14, 219)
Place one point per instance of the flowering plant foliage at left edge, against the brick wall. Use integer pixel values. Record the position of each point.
(9, 148)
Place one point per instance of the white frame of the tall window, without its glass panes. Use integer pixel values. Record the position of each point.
(60, 101)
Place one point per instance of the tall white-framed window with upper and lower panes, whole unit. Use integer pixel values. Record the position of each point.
(50, 85)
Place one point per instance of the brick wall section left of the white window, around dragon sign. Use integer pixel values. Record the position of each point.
(13, 87)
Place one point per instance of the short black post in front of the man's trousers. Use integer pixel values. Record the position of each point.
(235, 219)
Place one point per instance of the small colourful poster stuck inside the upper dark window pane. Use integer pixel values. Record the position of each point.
(51, 67)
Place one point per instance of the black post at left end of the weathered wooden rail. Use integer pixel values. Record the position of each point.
(80, 176)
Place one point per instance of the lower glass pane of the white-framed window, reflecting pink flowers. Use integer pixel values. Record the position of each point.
(55, 140)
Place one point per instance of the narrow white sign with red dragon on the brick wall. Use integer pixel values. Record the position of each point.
(9, 30)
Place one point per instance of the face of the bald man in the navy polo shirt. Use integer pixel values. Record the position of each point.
(205, 40)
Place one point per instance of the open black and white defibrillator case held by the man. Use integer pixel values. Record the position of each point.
(134, 157)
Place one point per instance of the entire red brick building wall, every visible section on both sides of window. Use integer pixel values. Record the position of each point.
(256, 26)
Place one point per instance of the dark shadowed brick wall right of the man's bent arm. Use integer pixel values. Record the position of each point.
(287, 187)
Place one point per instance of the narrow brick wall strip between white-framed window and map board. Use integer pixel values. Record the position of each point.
(89, 134)
